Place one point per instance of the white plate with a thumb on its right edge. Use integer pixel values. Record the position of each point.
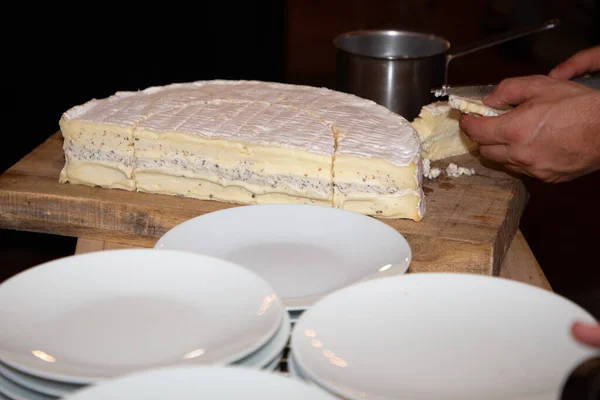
(436, 335)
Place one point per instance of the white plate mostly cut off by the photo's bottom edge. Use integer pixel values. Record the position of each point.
(213, 383)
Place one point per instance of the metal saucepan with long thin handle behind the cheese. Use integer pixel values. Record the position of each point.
(398, 69)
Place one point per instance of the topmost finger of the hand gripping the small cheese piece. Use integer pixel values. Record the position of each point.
(514, 91)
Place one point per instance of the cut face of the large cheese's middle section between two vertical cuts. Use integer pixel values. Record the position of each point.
(260, 169)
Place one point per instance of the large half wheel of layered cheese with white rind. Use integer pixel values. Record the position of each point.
(248, 142)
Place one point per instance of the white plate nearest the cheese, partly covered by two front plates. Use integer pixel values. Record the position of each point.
(303, 251)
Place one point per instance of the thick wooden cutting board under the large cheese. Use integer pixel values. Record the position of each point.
(469, 224)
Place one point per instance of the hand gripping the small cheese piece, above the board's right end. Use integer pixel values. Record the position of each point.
(552, 134)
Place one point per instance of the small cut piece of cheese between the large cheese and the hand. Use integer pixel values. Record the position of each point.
(439, 130)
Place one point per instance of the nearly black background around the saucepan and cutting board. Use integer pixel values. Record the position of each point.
(59, 58)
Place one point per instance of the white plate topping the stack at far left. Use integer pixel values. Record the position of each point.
(93, 316)
